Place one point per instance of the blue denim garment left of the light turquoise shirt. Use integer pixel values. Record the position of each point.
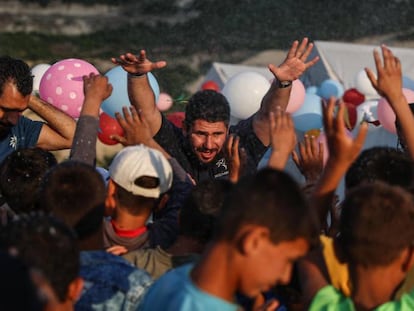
(110, 282)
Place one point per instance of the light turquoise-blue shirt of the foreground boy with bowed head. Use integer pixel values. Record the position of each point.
(175, 291)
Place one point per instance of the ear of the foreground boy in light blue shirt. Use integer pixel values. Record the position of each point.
(252, 239)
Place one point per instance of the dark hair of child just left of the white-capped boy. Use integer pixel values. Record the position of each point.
(74, 192)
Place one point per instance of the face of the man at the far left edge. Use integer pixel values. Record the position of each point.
(12, 103)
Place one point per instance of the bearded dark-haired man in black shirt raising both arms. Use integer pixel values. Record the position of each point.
(199, 149)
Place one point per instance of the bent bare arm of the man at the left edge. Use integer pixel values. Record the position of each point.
(60, 128)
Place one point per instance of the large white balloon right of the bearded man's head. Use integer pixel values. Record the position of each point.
(245, 91)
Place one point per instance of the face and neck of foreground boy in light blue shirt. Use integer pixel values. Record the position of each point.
(272, 265)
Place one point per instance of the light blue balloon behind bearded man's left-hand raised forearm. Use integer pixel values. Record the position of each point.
(119, 97)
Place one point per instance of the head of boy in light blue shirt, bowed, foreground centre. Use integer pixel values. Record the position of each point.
(269, 223)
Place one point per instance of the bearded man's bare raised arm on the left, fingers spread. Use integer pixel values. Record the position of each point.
(140, 92)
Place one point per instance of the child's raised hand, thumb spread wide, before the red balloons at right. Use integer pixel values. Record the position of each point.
(342, 148)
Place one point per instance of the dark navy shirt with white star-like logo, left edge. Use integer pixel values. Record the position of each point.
(24, 134)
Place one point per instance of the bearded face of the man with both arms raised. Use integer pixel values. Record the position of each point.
(207, 139)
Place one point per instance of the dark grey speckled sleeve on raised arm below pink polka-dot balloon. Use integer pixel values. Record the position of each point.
(84, 141)
